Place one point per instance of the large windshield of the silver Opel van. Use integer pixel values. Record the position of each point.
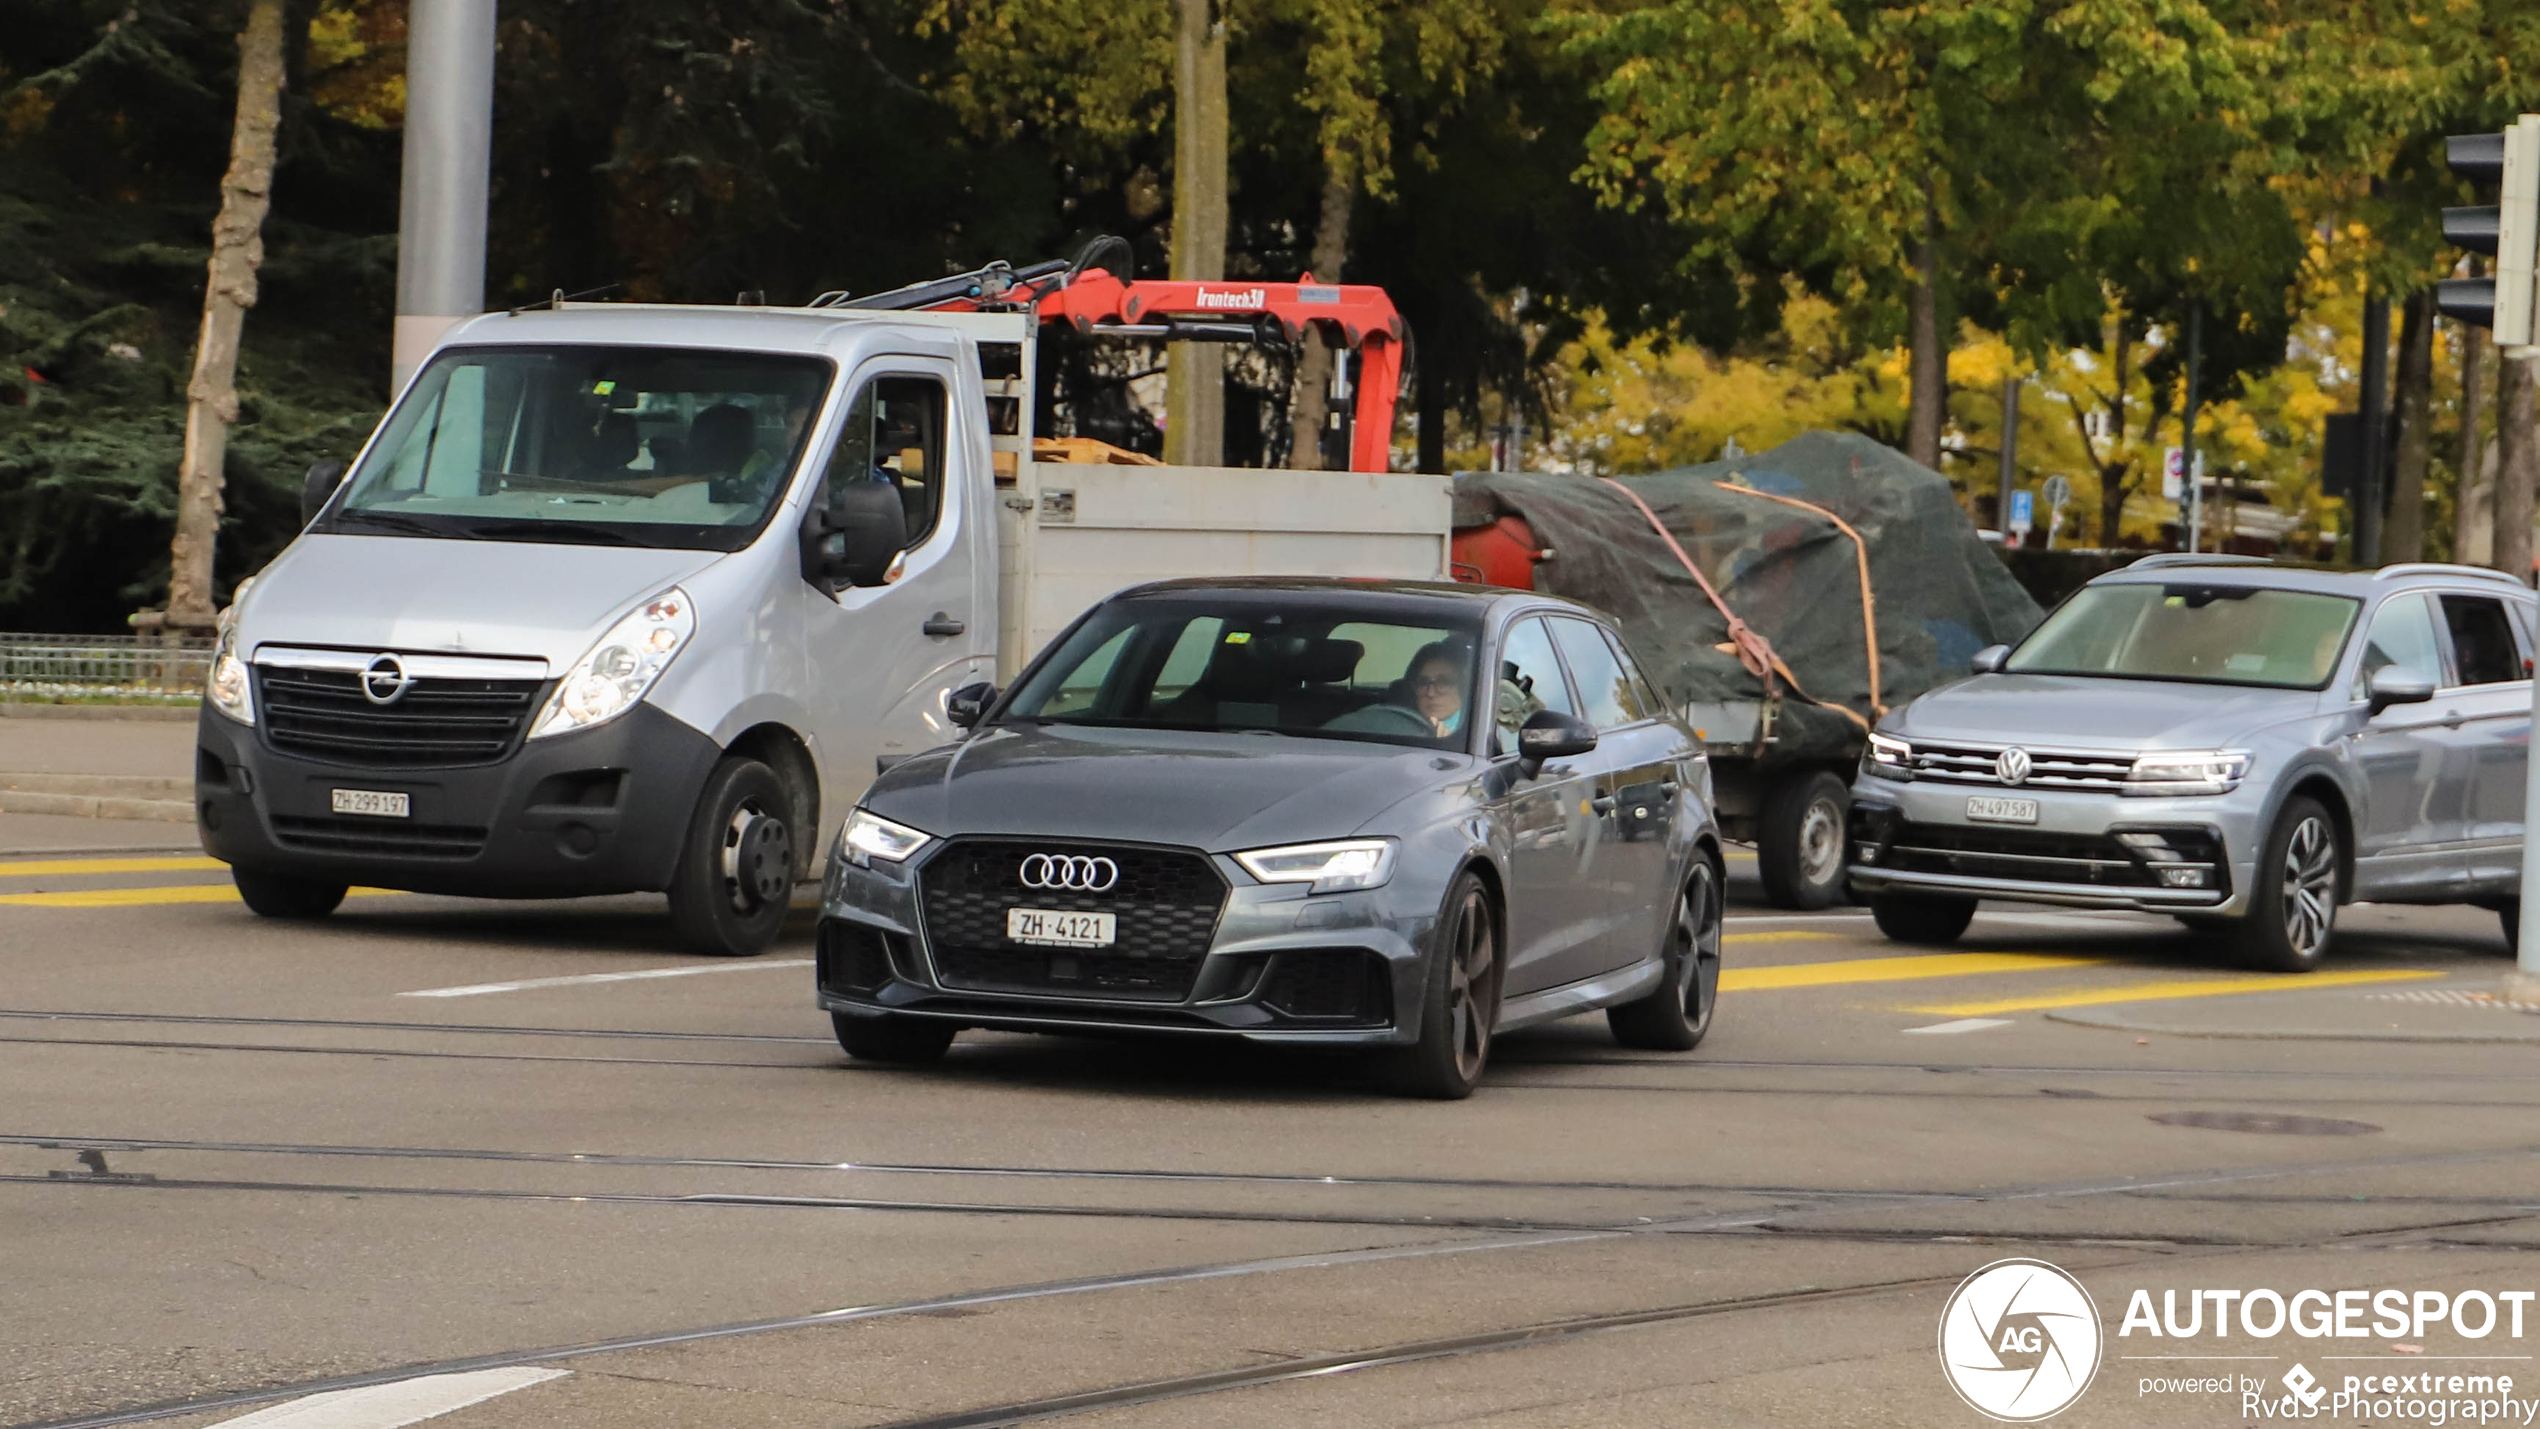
(588, 445)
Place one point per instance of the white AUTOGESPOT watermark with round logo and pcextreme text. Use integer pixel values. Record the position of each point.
(2021, 1341)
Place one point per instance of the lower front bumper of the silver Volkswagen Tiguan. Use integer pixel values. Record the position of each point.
(2087, 849)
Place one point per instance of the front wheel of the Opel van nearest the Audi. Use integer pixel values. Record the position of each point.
(735, 872)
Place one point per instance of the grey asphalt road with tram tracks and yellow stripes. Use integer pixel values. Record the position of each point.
(245, 1164)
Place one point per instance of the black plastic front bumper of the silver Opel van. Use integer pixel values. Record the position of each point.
(601, 811)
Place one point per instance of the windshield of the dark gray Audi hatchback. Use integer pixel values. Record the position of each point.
(1226, 664)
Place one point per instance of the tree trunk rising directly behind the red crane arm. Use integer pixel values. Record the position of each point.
(1195, 433)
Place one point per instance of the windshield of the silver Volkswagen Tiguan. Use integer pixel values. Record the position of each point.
(2221, 636)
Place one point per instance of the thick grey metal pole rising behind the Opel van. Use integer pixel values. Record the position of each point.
(441, 230)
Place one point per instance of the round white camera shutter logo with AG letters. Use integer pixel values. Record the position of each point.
(2021, 1341)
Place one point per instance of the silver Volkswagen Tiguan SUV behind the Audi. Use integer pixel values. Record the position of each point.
(2221, 740)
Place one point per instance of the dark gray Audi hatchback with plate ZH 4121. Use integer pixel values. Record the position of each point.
(1292, 811)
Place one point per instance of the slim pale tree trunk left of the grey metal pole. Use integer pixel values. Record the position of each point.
(237, 250)
